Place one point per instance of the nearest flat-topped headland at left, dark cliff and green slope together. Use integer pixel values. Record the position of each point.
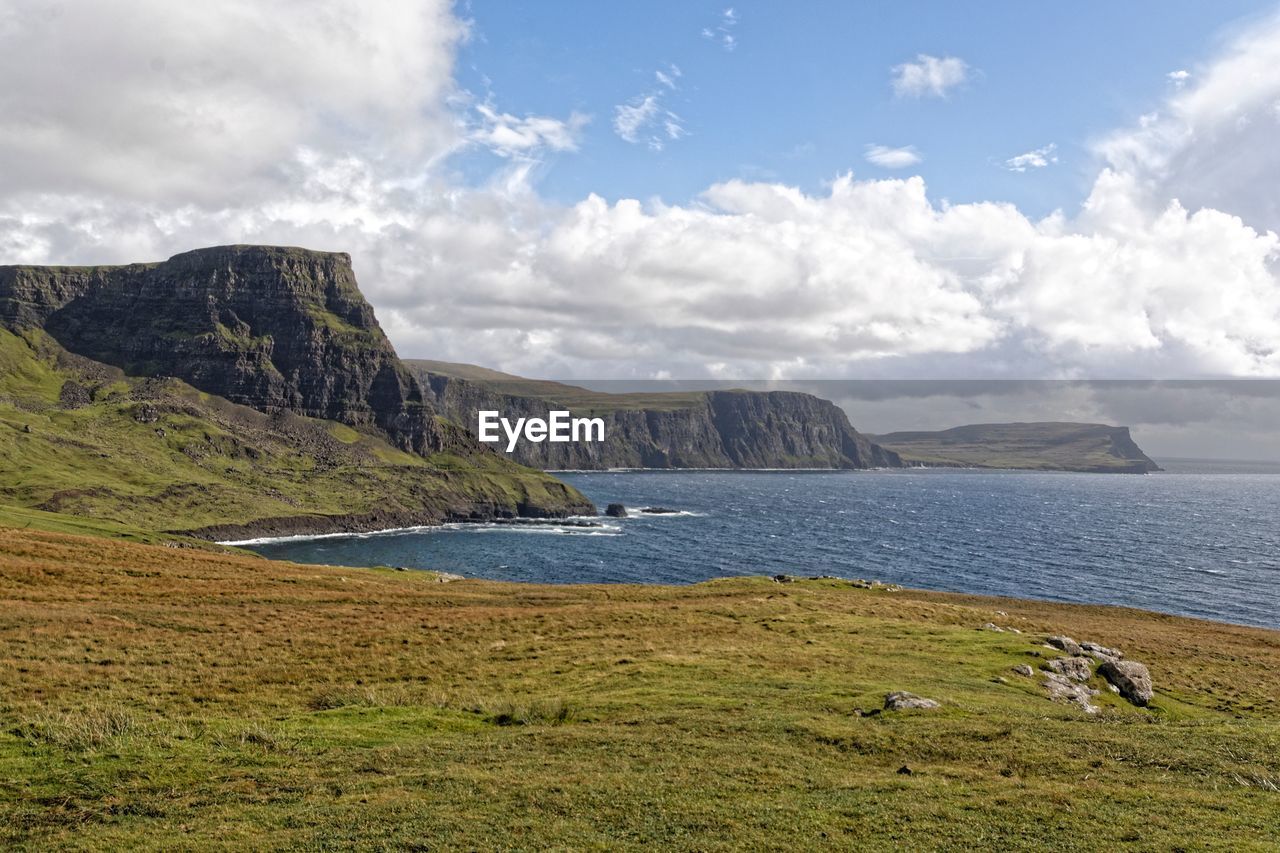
(230, 393)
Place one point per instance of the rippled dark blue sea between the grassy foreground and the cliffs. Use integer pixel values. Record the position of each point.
(1200, 540)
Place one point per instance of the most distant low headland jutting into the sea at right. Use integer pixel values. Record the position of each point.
(1039, 446)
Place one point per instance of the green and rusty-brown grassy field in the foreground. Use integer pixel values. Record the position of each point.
(176, 699)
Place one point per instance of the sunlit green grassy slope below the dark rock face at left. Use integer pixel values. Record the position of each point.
(130, 455)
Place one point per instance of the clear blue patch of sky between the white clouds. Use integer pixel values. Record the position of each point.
(808, 86)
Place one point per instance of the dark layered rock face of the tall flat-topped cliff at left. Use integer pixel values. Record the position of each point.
(275, 329)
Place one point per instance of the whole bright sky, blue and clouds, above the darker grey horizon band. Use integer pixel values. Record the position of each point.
(688, 190)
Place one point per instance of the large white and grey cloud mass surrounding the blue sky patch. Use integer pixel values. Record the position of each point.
(143, 135)
